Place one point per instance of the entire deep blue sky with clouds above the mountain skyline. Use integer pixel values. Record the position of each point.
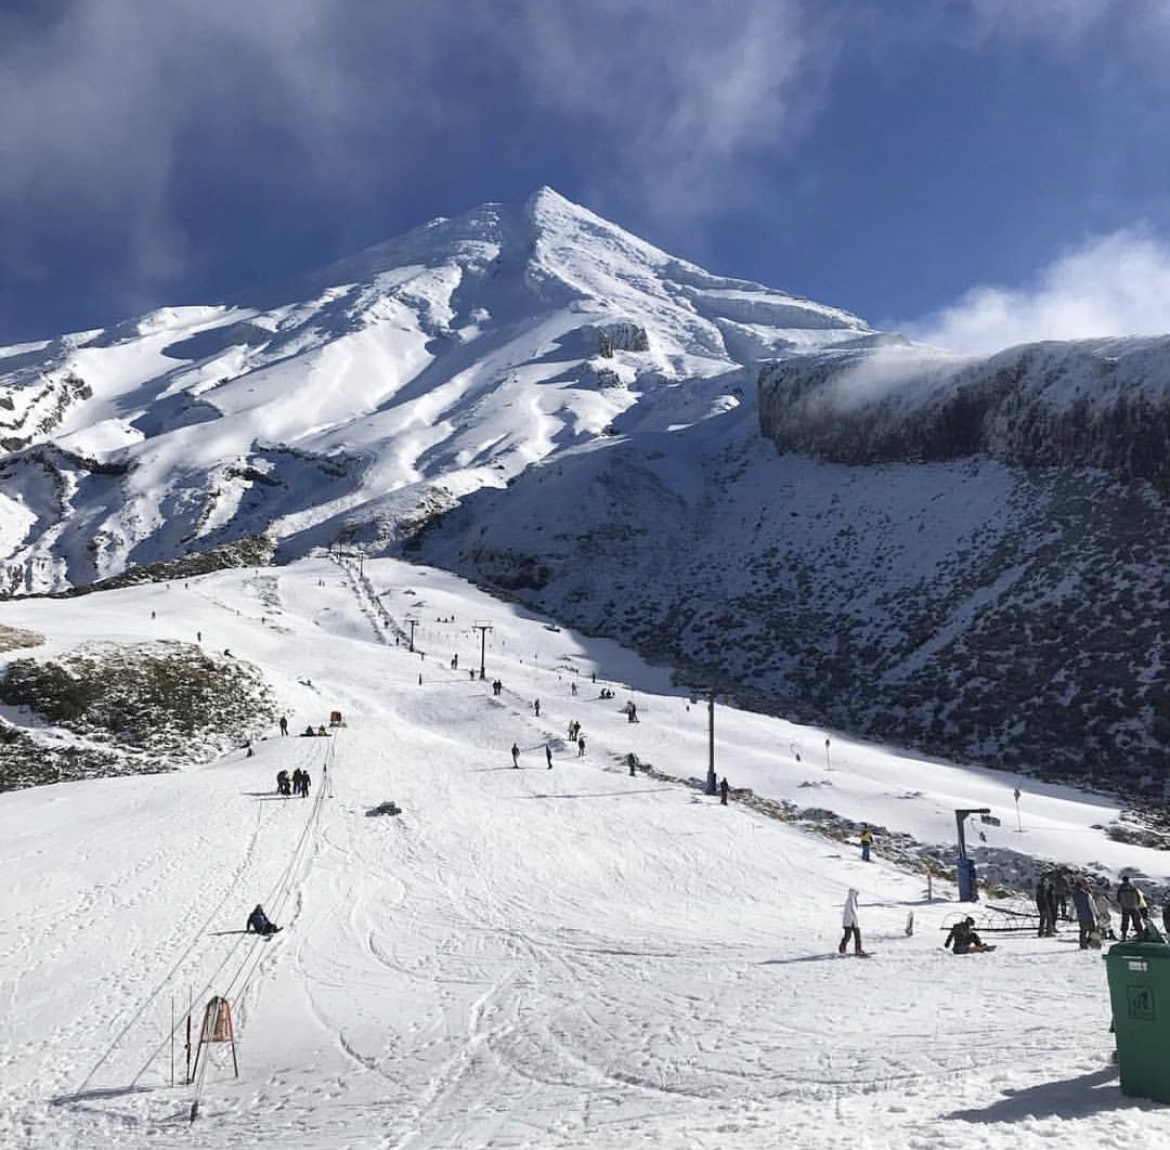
(978, 173)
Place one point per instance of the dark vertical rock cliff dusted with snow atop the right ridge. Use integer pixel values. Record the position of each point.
(1103, 404)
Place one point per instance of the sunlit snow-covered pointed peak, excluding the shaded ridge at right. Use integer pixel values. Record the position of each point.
(371, 395)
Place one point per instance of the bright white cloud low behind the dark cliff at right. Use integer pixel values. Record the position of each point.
(1117, 285)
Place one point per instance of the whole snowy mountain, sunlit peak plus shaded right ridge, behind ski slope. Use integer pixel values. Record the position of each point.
(766, 493)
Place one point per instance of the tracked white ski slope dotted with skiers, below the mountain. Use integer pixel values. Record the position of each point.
(550, 959)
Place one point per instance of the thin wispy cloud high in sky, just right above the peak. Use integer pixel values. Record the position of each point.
(683, 92)
